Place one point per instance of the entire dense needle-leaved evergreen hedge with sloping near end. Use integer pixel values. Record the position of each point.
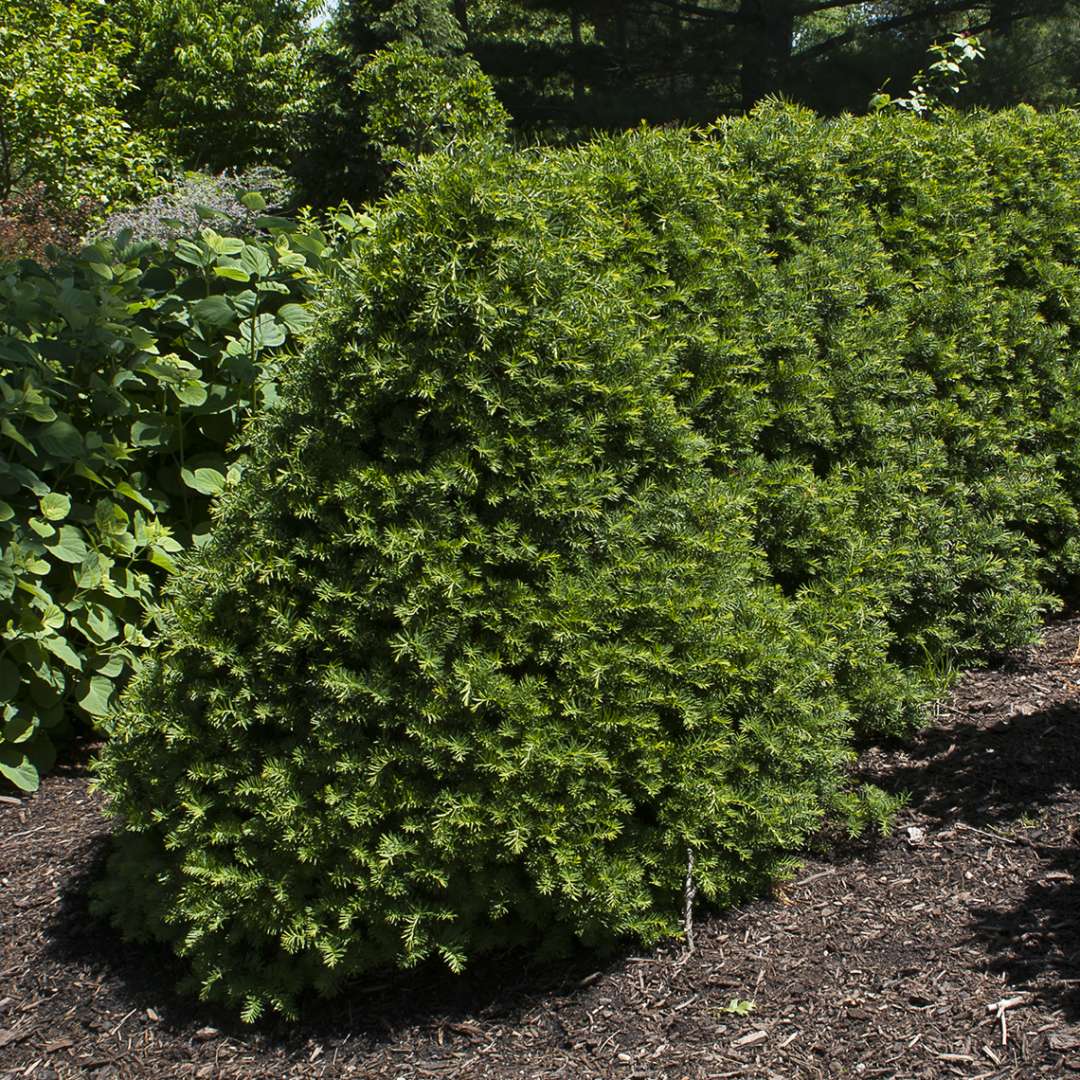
(626, 487)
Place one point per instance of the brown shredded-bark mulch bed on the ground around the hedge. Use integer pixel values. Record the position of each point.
(950, 949)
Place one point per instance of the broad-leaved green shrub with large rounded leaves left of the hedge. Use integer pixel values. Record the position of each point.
(126, 375)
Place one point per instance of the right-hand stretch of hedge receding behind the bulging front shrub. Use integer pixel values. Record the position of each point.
(909, 318)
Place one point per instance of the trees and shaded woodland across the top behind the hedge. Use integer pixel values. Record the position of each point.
(107, 104)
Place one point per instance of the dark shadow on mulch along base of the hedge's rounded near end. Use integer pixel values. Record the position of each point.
(369, 1014)
